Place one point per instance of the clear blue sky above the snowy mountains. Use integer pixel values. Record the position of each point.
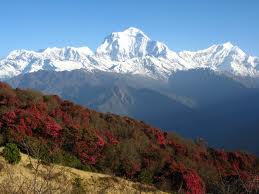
(182, 24)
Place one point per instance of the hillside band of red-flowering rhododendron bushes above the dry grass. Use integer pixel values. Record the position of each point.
(108, 143)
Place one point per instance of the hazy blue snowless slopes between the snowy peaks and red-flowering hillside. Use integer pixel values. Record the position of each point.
(194, 103)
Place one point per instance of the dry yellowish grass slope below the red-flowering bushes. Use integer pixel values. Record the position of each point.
(22, 178)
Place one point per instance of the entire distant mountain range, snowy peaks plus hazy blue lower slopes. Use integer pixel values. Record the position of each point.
(210, 94)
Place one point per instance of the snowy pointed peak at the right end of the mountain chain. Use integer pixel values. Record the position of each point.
(223, 58)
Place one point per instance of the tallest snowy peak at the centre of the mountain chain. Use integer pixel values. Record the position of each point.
(131, 43)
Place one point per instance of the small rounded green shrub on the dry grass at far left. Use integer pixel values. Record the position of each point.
(11, 153)
